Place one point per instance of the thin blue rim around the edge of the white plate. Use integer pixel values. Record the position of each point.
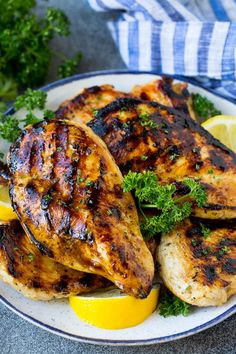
(149, 341)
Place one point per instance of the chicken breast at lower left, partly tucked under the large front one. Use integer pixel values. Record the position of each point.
(35, 275)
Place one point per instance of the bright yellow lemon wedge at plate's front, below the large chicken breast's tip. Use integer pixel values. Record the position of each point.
(113, 310)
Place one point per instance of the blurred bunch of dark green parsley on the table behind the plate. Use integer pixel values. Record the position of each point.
(25, 55)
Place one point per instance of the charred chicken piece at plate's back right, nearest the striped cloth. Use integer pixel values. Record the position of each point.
(167, 93)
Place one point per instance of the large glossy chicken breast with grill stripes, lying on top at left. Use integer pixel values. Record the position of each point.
(66, 190)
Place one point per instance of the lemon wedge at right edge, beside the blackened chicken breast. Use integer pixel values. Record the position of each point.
(224, 129)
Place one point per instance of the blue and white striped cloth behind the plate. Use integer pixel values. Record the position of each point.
(192, 38)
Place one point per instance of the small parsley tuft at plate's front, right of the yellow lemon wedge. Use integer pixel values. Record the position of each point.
(171, 305)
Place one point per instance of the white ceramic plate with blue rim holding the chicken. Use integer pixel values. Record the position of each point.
(57, 316)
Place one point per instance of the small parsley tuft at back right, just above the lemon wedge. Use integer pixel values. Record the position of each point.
(203, 107)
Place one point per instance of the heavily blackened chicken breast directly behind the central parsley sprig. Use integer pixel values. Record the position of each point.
(174, 146)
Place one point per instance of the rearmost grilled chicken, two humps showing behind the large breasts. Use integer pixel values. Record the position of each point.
(82, 107)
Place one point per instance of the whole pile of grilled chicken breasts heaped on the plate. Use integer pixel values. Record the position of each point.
(77, 231)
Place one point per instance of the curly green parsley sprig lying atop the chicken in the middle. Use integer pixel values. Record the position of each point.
(169, 209)
